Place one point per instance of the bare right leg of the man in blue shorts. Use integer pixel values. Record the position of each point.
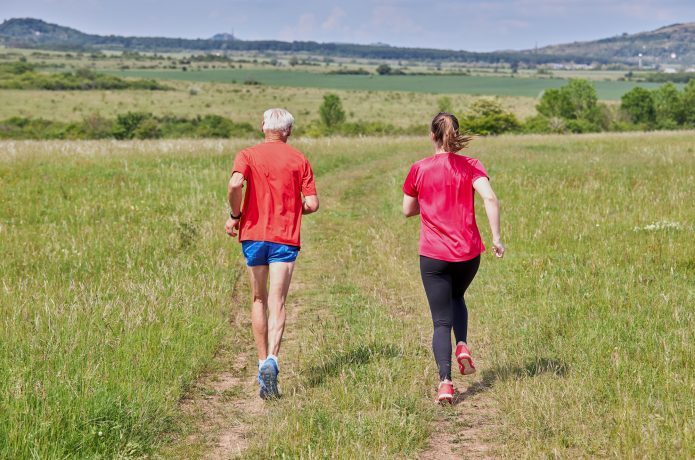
(280, 277)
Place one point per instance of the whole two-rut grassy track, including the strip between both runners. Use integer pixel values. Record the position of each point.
(233, 421)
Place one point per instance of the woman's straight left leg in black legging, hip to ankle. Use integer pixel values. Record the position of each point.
(437, 282)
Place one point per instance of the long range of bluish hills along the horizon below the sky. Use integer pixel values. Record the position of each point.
(656, 46)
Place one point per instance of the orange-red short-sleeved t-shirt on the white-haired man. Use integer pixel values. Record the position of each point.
(276, 176)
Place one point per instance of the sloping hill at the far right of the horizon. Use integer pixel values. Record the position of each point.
(656, 47)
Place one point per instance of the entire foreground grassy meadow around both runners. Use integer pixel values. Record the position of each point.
(119, 291)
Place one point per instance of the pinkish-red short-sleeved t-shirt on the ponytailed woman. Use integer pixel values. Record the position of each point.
(443, 186)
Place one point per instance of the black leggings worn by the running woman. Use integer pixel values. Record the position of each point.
(445, 283)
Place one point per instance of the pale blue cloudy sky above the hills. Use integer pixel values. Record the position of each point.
(462, 25)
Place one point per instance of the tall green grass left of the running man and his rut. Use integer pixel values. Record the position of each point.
(115, 283)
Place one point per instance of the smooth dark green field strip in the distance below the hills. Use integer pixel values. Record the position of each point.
(475, 85)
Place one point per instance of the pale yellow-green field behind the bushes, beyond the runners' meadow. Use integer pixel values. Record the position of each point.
(241, 103)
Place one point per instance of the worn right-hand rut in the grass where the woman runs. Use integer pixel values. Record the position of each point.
(471, 427)
